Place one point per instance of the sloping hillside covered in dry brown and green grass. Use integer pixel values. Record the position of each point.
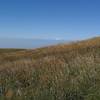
(62, 72)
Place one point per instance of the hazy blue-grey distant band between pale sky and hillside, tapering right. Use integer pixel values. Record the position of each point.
(27, 43)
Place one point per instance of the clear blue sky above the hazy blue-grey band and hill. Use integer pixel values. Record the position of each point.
(50, 19)
